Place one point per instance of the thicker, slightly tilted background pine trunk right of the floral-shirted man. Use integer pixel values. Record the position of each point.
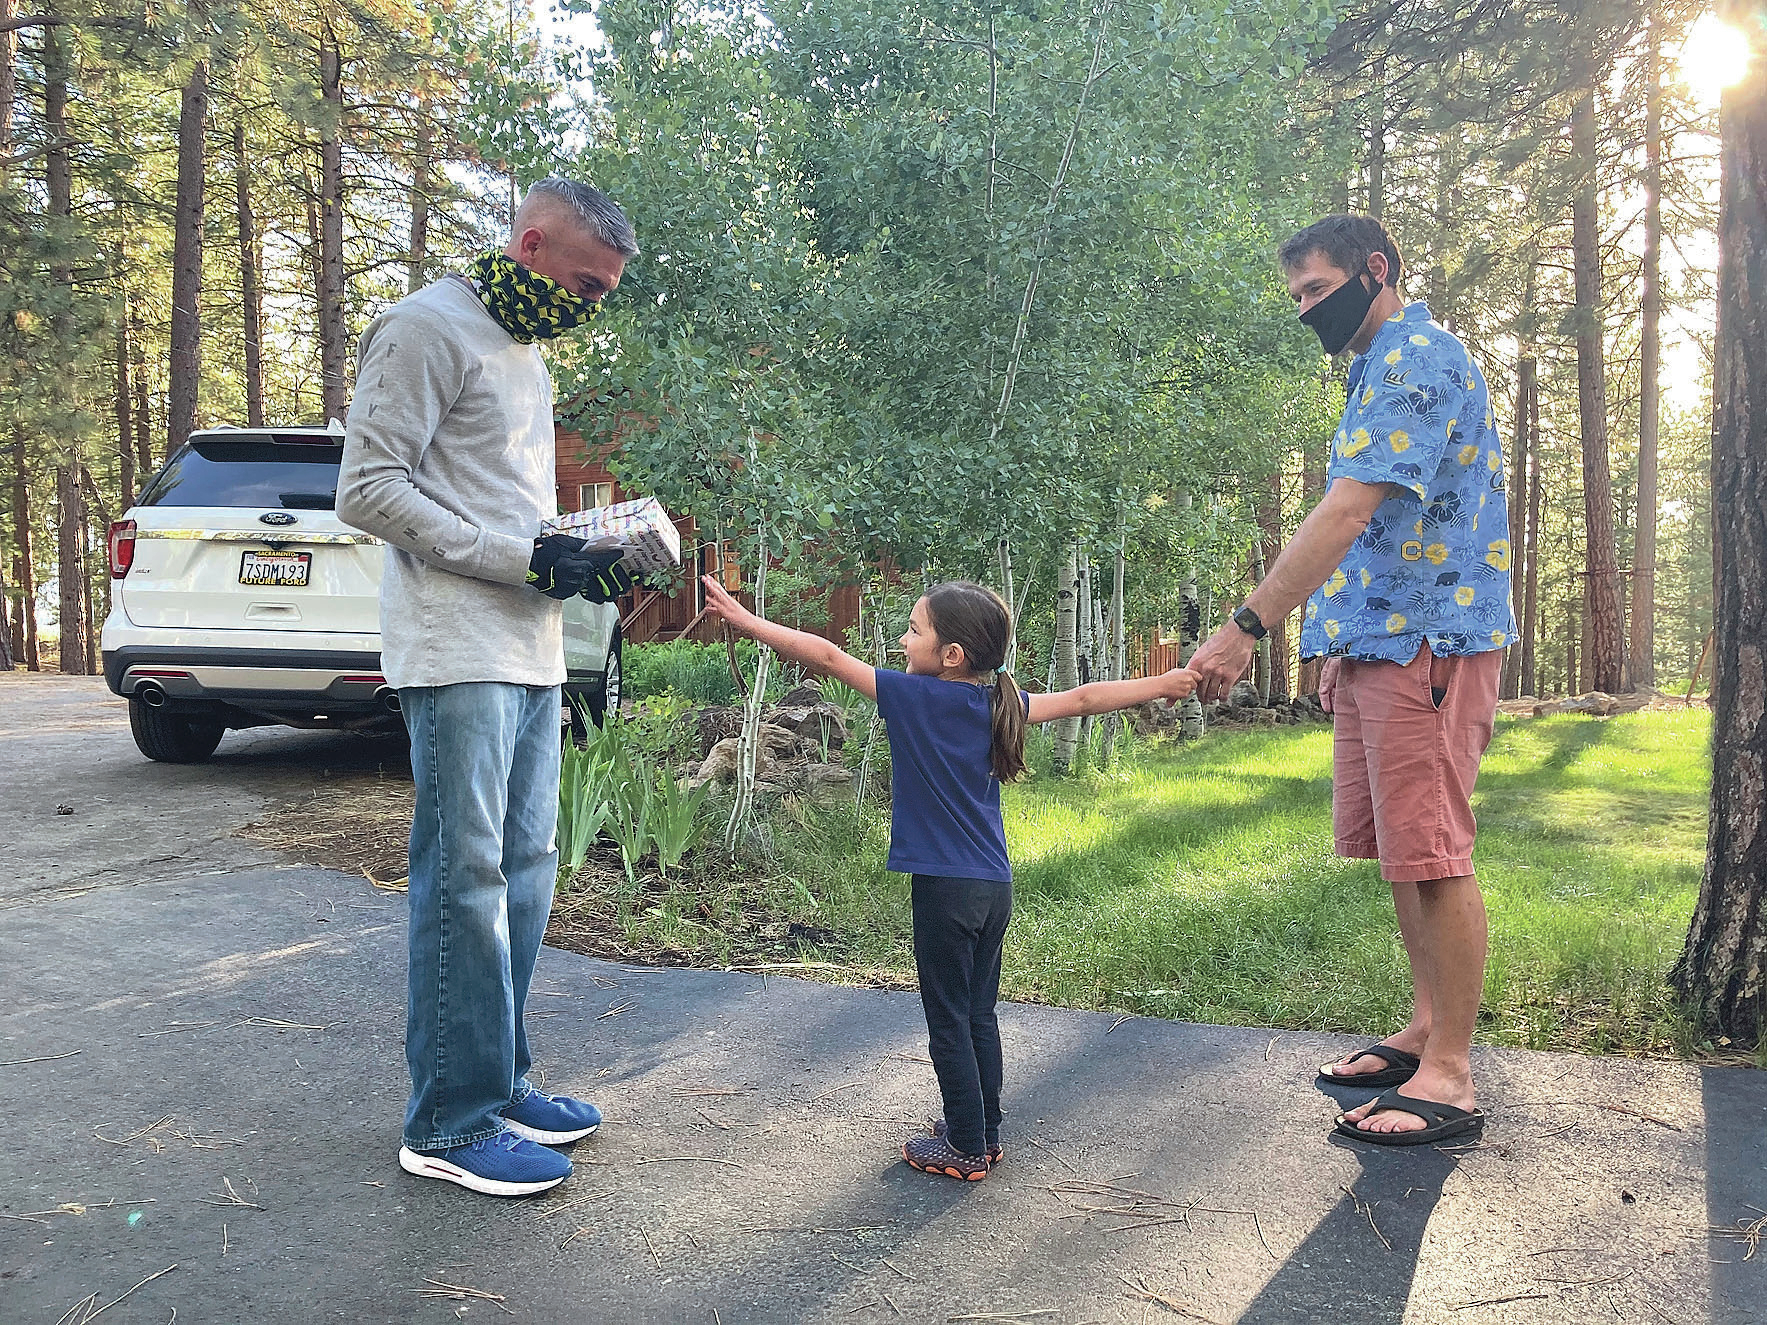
(1600, 557)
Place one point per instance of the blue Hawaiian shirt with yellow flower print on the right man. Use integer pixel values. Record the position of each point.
(1434, 563)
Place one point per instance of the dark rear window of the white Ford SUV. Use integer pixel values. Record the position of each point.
(254, 471)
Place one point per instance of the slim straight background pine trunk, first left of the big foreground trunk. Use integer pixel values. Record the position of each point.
(1641, 655)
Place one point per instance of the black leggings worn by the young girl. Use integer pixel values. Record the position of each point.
(959, 930)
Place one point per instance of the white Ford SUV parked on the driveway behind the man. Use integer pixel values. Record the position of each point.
(241, 600)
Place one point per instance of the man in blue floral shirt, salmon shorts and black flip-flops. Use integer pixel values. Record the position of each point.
(1406, 575)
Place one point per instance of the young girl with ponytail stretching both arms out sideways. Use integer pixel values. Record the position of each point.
(957, 731)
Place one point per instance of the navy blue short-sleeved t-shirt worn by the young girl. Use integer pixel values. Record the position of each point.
(946, 801)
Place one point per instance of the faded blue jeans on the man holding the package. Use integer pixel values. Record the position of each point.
(485, 759)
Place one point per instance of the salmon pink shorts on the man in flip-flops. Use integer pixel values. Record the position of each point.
(1404, 766)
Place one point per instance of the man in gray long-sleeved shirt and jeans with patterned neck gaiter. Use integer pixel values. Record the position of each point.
(450, 457)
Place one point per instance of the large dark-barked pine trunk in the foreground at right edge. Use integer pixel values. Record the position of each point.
(1724, 969)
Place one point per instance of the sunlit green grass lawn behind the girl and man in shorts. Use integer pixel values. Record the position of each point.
(1199, 882)
